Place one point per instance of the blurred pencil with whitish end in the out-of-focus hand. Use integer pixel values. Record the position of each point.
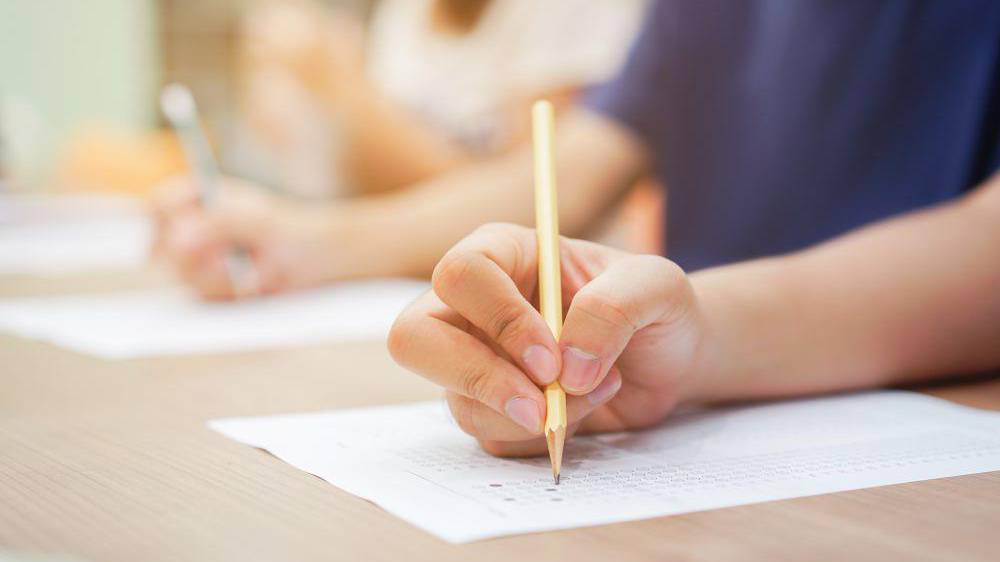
(178, 105)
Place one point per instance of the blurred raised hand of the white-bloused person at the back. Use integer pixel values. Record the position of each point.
(322, 48)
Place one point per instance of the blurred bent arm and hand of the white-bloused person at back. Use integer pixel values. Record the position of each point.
(383, 146)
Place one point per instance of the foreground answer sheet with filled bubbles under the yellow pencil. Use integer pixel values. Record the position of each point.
(415, 463)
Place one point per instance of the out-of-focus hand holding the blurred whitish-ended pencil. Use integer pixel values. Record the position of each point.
(287, 241)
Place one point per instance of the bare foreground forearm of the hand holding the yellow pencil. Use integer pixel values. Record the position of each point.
(904, 300)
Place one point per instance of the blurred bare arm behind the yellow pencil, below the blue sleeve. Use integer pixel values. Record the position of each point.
(411, 229)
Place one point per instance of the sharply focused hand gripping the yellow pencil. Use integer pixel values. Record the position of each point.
(631, 341)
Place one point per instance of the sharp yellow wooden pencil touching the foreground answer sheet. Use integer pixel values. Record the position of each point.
(549, 276)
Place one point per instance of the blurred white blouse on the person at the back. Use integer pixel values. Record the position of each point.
(465, 85)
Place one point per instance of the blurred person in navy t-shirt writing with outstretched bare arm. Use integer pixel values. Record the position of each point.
(775, 126)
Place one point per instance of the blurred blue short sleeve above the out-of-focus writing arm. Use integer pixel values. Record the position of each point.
(632, 96)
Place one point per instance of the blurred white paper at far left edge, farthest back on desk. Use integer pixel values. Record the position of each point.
(49, 235)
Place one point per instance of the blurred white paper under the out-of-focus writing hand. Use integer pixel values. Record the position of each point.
(173, 322)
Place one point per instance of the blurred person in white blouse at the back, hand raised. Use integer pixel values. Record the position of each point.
(428, 86)
